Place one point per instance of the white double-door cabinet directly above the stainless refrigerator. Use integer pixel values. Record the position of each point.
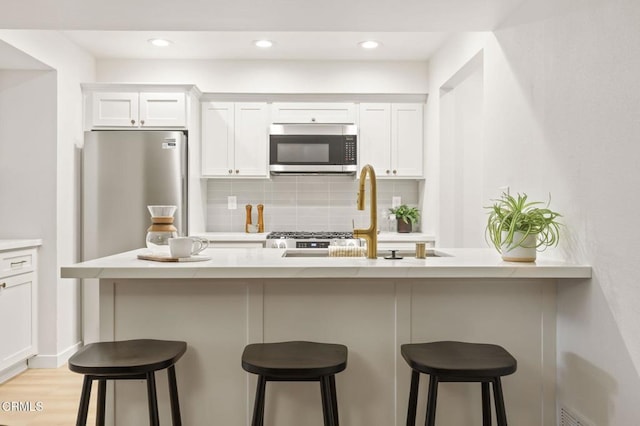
(138, 109)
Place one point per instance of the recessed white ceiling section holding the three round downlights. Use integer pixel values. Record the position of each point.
(239, 45)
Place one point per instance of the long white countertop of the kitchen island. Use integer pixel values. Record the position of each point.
(270, 263)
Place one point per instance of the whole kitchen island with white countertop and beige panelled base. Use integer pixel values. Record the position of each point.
(373, 306)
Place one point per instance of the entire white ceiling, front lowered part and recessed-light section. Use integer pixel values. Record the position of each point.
(225, 29)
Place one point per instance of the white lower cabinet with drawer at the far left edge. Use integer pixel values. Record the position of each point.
(18, 310)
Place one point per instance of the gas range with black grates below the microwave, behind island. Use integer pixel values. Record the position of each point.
(310, 240)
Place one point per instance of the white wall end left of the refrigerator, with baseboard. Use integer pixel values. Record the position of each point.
(59, 301)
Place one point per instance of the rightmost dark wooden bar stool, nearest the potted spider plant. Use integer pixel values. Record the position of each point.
(458, 362)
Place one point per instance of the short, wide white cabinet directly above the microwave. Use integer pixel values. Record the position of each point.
(316, 112)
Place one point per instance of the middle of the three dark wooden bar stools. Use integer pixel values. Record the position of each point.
(296, 362)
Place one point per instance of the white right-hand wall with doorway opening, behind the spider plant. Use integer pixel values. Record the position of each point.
(562, 116)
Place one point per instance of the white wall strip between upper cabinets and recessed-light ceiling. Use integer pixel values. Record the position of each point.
(212, 76)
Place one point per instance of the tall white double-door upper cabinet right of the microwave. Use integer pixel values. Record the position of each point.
(391, 138)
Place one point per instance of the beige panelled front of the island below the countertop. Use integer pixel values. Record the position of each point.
(373, 317)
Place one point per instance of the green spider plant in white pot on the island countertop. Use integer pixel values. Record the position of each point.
(519, 228)
